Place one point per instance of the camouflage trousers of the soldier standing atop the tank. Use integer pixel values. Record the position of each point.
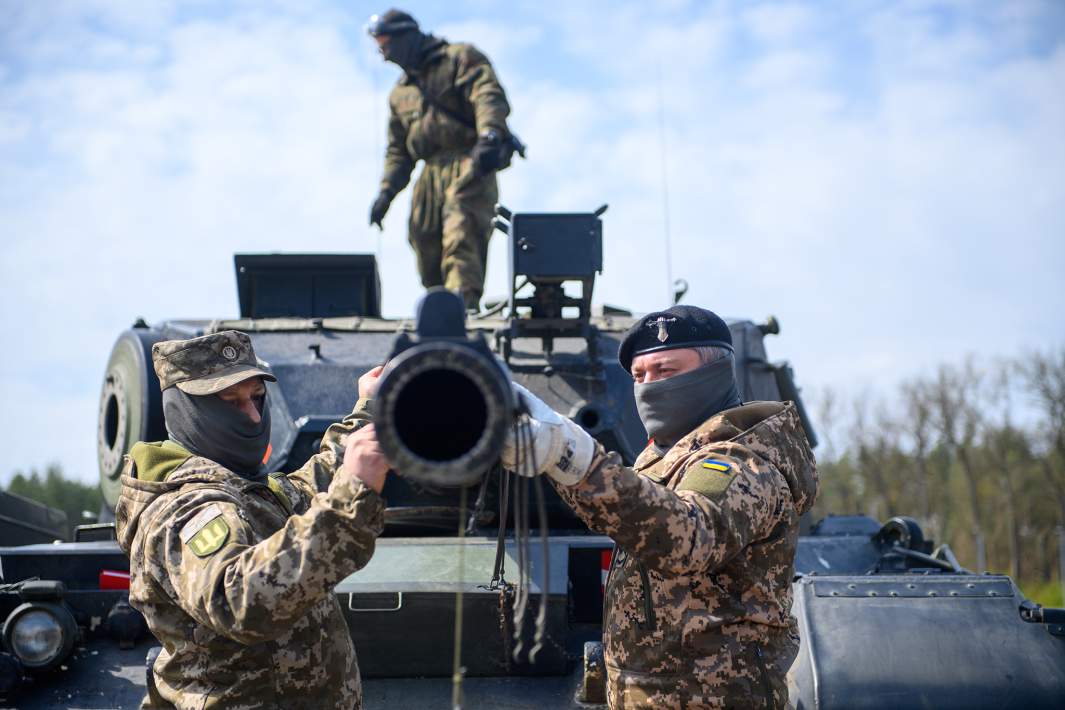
(451, 222)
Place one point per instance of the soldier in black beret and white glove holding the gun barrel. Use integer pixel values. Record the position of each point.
(699, 595)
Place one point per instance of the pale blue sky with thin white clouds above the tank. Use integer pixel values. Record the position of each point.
(886, 177)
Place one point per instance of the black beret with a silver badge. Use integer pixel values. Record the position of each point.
(679, 327)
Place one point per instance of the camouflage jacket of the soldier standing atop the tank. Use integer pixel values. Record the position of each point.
(457, 77)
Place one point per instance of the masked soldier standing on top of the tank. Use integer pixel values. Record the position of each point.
(448, 110)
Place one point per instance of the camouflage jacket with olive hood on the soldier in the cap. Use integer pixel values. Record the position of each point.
(236, 577)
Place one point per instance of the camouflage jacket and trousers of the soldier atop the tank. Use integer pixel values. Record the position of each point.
(453, 207)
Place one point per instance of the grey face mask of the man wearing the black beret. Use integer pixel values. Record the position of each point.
(674, 407)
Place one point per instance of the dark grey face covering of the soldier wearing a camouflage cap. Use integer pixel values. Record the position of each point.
(215, 430)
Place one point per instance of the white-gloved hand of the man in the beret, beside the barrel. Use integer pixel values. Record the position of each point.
(564, 451)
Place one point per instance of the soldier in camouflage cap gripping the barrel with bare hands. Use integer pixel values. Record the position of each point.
(235, 570)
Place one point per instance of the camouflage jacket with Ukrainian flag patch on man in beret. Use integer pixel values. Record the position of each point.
(699, 597)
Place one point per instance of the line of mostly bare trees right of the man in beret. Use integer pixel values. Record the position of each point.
(975, 453)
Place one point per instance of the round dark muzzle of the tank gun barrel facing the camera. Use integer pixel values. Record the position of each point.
(445, 402)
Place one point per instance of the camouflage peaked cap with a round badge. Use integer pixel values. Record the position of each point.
(207, 365)
